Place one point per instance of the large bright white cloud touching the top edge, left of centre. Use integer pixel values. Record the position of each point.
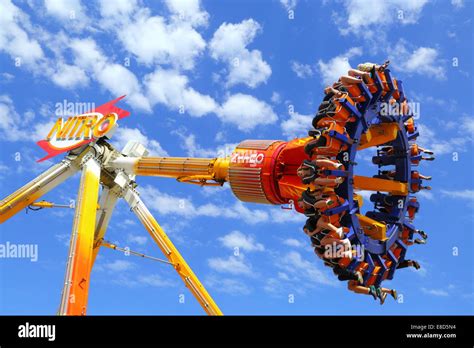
(153, 39)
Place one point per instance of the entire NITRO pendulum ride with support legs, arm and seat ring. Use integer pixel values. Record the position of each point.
(350, 119)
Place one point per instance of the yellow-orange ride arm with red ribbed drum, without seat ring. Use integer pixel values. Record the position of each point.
(258, 171)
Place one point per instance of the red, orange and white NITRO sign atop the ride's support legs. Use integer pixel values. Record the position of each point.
(75, 131)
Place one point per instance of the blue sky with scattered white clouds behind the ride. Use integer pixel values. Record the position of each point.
(199, 78)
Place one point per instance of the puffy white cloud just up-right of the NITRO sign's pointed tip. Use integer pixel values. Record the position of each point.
(170, 88)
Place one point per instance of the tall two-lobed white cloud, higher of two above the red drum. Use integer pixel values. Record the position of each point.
(229, 44)
